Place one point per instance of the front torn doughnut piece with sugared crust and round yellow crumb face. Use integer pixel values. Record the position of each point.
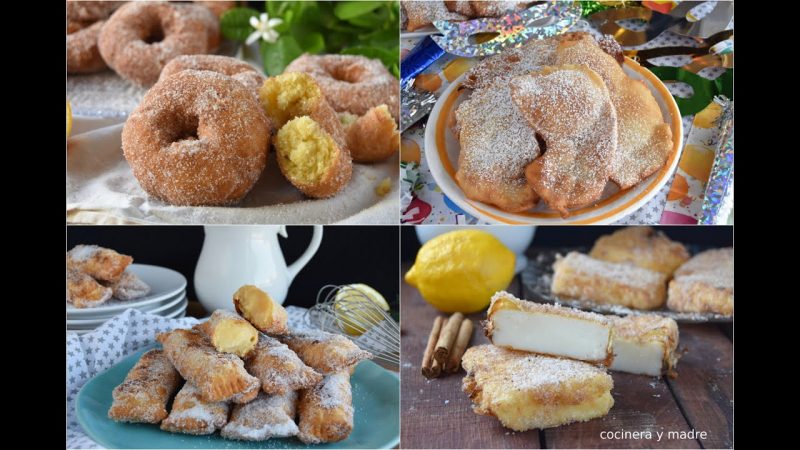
(310, 159)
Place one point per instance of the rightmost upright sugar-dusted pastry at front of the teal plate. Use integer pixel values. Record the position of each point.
(326, 410)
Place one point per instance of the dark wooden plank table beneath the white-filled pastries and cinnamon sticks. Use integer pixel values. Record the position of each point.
(437, 414)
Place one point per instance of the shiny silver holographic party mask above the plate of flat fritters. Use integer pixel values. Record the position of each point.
(512, 30)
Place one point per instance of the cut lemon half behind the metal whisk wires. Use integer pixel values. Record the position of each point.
(353, 311)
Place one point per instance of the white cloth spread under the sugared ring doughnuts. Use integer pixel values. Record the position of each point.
(101, 189)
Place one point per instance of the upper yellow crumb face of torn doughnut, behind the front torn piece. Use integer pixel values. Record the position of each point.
(288, 96)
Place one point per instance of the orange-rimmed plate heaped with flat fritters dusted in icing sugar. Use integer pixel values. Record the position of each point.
(559, 130)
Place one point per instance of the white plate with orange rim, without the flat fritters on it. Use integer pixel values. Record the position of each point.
(441, 154)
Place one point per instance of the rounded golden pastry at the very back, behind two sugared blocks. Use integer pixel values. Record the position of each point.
(643, 247)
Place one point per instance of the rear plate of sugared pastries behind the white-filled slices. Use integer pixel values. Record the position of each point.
(637, 270)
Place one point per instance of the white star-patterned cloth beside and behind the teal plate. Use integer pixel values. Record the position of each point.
(94, 352)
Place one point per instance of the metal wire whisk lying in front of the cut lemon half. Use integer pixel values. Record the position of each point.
(359, 319)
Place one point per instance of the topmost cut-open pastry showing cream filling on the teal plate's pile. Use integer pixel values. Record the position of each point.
(260, 310)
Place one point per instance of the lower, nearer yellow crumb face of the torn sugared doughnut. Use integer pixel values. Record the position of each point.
(305, 150)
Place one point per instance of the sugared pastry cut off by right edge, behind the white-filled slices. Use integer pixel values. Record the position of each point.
(704, 284)
